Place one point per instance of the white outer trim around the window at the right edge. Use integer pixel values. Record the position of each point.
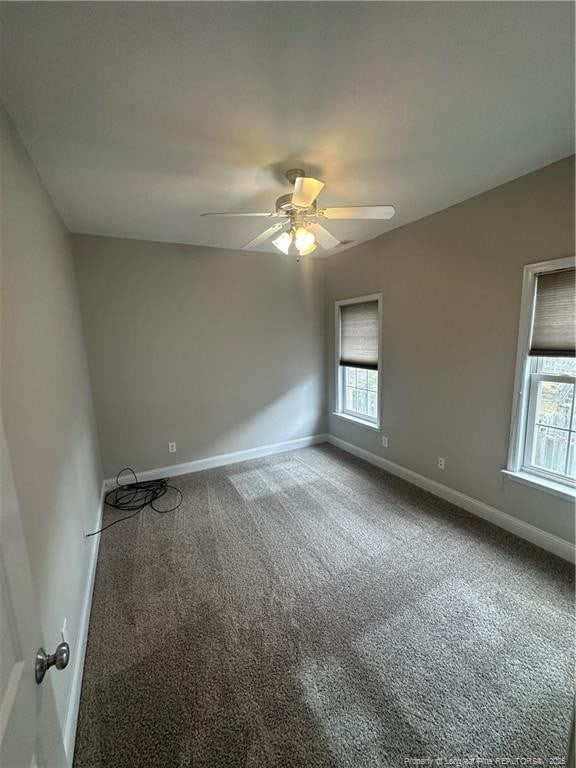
(514, 468)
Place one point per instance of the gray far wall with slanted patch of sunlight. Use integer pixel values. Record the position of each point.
(217, 350)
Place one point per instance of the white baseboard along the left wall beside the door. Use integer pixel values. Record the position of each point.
(92, 545)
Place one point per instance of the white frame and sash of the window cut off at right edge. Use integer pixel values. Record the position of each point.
(525, 380)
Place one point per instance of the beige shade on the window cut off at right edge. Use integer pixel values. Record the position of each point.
(554, 315)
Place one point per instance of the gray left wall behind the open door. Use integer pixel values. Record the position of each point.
(45, 397)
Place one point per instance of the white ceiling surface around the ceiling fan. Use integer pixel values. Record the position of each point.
(139, 116)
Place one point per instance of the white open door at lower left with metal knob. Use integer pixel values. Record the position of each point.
(30, 734)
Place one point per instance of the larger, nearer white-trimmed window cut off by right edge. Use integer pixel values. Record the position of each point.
(543, 444)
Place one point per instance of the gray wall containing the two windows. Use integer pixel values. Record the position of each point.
(451, 286)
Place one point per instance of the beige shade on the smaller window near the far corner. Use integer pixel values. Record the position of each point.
(359, 335)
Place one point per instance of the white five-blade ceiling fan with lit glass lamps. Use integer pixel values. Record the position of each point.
(298, 230)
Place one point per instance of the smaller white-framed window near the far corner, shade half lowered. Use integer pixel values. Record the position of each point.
(357, 358)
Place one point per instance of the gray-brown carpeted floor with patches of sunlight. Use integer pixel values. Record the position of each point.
(309, 610)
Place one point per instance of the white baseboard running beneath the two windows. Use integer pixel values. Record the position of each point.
(524, 530)
